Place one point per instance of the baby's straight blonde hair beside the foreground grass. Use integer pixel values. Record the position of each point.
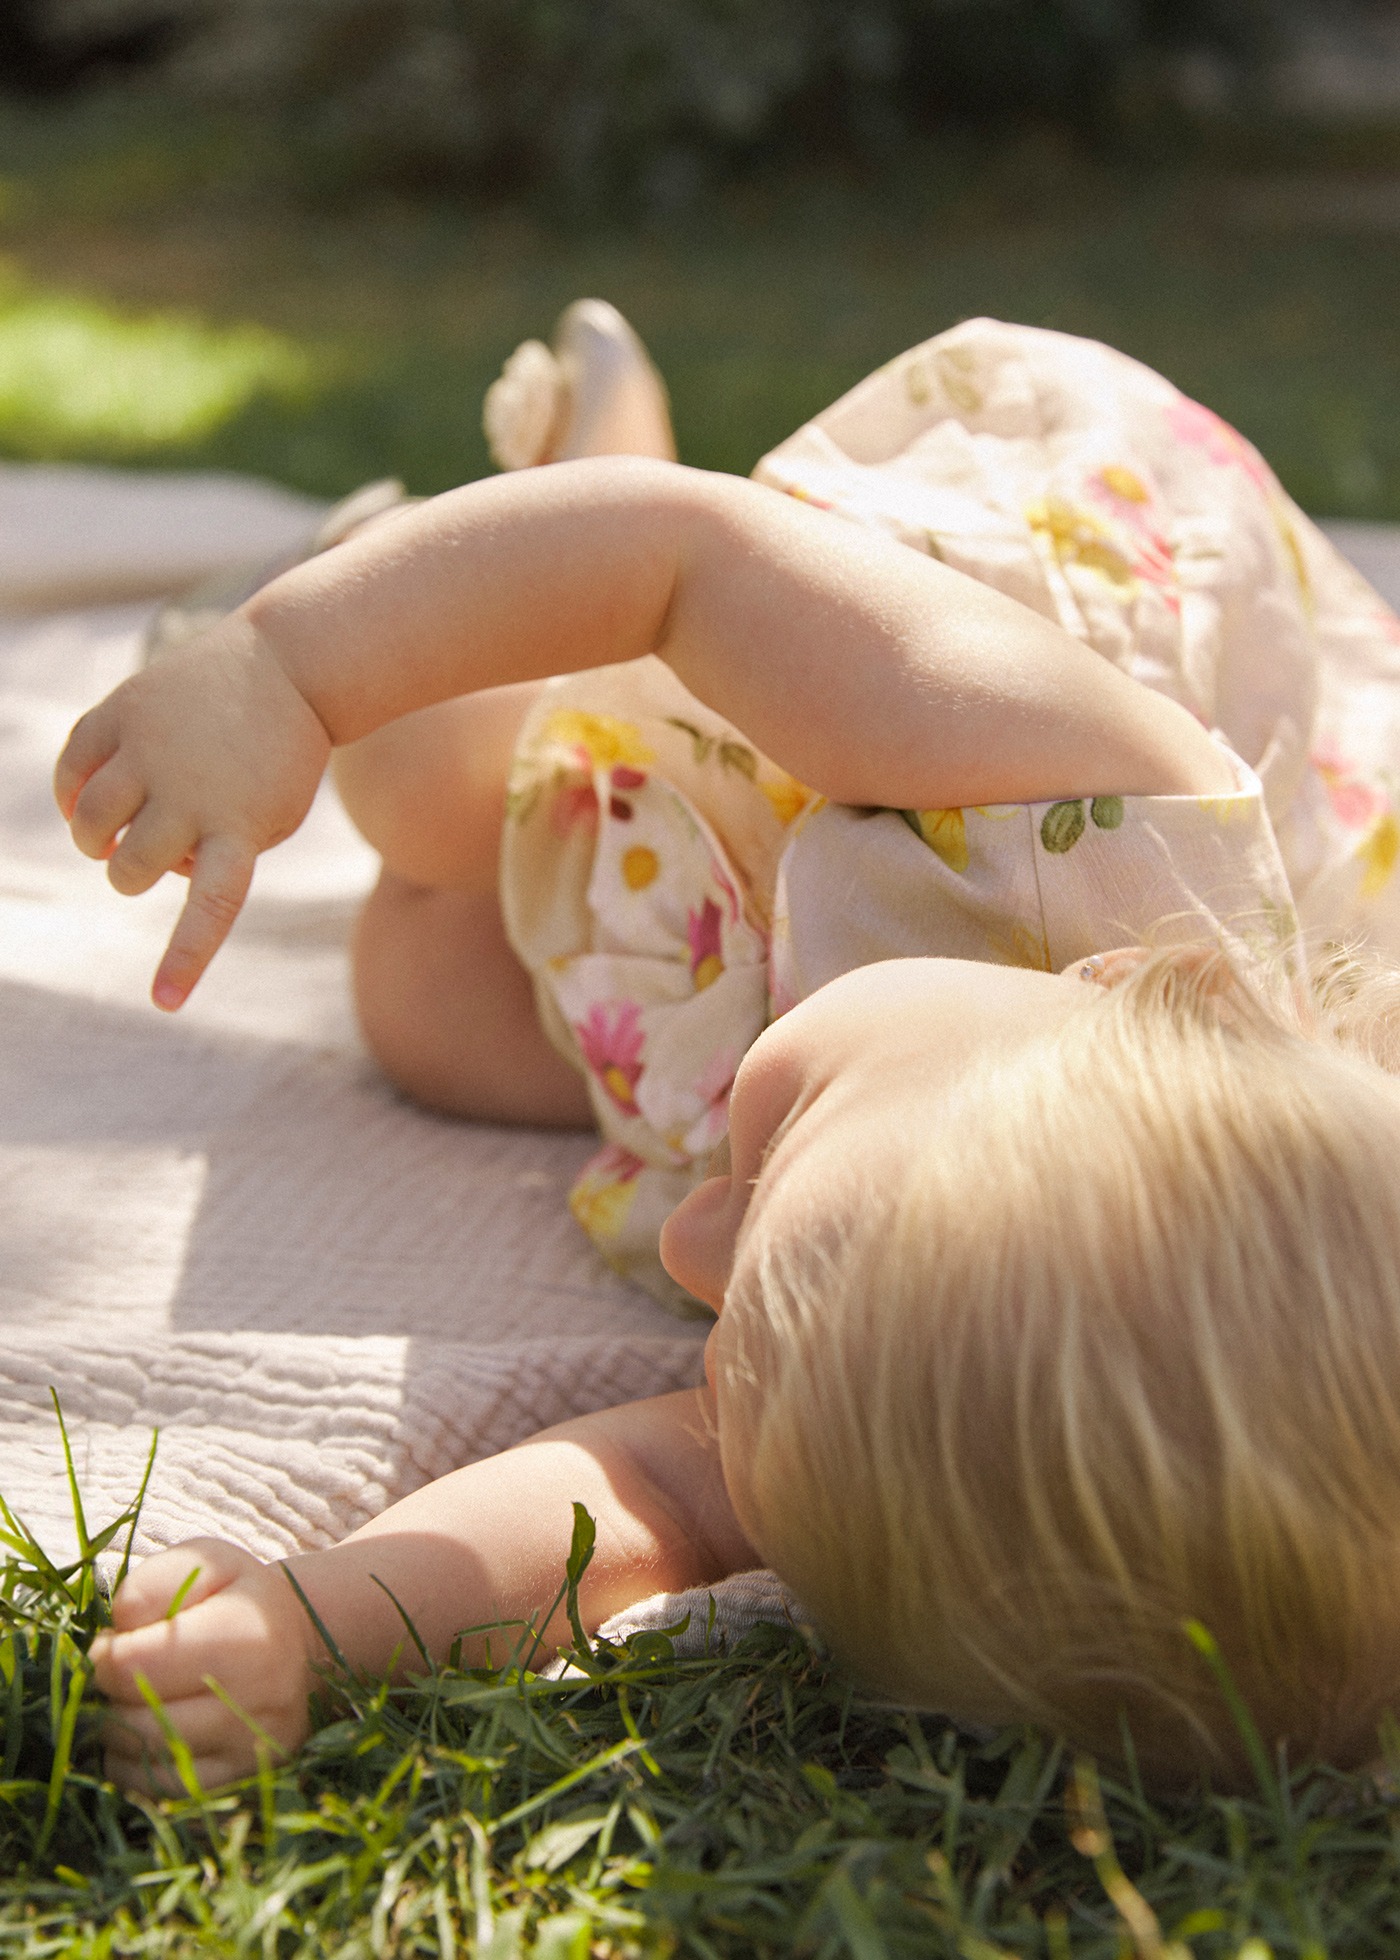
(1115, 1349)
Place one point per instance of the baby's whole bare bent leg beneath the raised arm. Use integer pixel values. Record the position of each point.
(444, 1004)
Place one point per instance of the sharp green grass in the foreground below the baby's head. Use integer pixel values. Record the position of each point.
(742, 1806)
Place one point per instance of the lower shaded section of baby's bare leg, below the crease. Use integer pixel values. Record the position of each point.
(450, 1012)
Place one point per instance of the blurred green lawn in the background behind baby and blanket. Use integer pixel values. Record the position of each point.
(325, 344)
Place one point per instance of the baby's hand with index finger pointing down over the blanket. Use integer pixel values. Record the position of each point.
(193, 765)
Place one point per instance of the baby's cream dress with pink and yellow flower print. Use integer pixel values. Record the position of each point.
(672, 891)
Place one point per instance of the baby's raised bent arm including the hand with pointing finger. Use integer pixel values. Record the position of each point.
(866, 669)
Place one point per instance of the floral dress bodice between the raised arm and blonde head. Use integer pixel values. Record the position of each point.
(1028, 885)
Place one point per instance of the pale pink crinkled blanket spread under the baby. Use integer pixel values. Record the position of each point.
(228, 1226)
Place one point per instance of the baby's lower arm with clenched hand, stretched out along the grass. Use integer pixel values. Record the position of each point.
(487, 1543)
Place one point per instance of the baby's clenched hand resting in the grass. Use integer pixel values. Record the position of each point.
(238, 1624)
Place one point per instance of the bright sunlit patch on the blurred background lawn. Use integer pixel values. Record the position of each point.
(79, 379)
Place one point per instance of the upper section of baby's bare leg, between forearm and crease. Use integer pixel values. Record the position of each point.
(428, 791)
